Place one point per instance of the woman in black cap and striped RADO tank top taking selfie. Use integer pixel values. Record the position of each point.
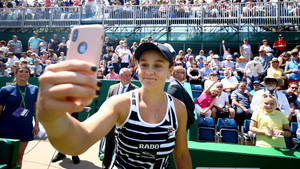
(138, 115)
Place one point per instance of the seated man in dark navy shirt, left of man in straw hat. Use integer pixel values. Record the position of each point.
(241, 99)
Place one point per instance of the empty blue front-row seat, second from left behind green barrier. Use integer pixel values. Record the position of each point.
(228, 130)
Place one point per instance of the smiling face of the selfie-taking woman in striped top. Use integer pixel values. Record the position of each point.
(153, 69)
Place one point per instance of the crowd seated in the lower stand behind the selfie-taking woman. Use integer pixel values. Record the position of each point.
(232, 82)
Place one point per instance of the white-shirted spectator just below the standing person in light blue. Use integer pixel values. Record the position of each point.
(253, 71)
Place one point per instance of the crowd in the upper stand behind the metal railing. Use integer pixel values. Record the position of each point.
(148, 8)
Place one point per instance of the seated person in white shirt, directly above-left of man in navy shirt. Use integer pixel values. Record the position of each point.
(230, 83)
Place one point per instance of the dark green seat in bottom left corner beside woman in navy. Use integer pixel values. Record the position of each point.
(9, 153)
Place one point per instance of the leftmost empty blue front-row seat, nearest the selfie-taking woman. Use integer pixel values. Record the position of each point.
(206, 128)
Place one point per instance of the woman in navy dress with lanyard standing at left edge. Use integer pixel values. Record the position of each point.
(17, 110)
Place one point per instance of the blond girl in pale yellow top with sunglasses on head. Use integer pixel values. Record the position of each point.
(269, 124)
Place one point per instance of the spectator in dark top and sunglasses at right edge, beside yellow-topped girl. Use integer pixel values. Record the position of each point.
(291, 96)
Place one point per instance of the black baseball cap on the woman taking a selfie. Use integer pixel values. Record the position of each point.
(163, 49)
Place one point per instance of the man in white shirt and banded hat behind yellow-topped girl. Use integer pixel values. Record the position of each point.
(270, 84)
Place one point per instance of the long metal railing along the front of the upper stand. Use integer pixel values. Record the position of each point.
(236, 15)
